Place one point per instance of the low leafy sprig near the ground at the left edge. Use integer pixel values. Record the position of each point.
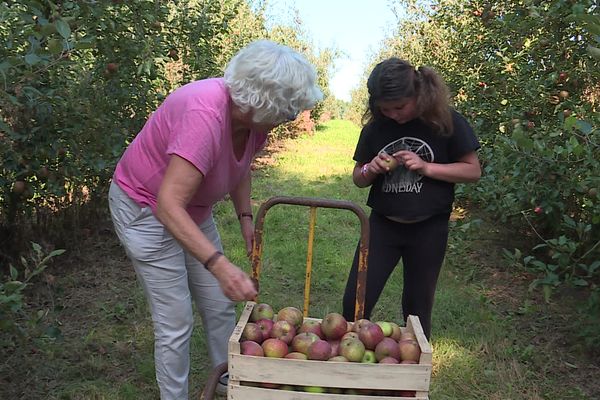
(14, 319)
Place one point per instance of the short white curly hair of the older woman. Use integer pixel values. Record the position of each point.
(273, 81)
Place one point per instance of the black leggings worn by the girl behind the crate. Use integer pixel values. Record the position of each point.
(421, 246)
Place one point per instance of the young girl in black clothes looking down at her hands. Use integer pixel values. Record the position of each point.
(412, 149)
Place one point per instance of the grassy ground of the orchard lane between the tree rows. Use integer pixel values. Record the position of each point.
(492, 339)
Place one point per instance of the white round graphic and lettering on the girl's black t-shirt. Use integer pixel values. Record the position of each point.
(401, 179)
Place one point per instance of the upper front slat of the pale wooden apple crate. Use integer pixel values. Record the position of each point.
(329, 373)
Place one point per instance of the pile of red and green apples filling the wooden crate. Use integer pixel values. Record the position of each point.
(288, 335)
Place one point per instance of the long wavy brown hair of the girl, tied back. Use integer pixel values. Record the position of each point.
(396, 79)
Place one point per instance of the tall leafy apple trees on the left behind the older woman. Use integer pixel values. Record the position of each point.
(77, 82)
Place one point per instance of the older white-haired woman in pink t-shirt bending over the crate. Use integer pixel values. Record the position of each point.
(195, 149)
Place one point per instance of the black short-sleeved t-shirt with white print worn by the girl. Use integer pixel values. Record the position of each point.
(407, 194)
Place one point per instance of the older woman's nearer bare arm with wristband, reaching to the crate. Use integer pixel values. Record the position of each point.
(180, 183)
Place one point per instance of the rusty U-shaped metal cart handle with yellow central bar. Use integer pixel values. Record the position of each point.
(314, 203)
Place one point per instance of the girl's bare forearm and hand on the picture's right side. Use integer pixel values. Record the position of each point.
(465, 169)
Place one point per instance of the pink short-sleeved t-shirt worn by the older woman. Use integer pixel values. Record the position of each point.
(194, 123)
